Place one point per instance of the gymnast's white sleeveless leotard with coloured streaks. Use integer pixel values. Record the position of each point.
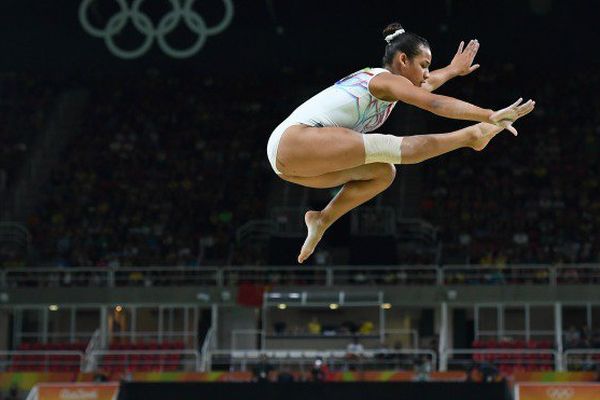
(348, 103)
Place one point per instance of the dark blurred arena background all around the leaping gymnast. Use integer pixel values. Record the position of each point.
(133, 162)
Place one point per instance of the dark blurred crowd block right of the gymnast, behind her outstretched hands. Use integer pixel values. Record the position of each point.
(524, 199)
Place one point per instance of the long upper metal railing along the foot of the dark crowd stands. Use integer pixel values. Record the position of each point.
(427, 275)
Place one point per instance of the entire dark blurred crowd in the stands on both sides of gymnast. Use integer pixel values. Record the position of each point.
(168, 168)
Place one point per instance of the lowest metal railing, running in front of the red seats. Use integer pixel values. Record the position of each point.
(244, 360)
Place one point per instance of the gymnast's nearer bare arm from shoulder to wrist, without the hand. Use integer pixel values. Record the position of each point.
(398, 88)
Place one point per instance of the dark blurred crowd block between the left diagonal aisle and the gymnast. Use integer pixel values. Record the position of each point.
(165, 171)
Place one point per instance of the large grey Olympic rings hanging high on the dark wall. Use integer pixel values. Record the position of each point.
(181, 10)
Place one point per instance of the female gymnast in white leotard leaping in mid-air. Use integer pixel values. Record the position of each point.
(323, 144)
